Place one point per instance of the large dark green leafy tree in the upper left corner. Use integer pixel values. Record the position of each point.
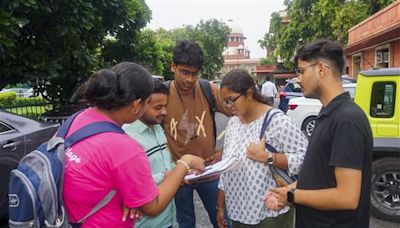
(54, 45)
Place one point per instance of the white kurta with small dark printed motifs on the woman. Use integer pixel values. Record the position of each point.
(245, 187)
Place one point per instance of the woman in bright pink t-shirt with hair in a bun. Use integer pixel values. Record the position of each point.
(111, 161)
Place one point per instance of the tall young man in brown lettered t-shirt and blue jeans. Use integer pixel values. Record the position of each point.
(189, 127)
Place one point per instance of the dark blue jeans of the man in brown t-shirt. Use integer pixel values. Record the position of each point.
(185, 207)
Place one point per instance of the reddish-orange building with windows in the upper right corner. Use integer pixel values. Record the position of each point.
(375, 42)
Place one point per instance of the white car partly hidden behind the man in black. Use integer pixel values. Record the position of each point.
(305, 110)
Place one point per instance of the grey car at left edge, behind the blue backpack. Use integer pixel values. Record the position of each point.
(18, 136)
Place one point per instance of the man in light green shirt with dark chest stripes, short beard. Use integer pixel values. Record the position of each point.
(149, 133)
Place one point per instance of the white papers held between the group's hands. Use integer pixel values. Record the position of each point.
(216, 169)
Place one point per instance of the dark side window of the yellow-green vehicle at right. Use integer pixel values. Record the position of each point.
(383, 99)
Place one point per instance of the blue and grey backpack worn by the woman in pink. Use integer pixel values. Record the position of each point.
(35, 186)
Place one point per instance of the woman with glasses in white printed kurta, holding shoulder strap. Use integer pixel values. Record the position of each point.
(242, 190)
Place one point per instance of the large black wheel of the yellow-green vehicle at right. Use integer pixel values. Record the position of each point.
(385, 189)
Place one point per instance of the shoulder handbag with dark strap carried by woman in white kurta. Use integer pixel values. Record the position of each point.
(281, 176)
